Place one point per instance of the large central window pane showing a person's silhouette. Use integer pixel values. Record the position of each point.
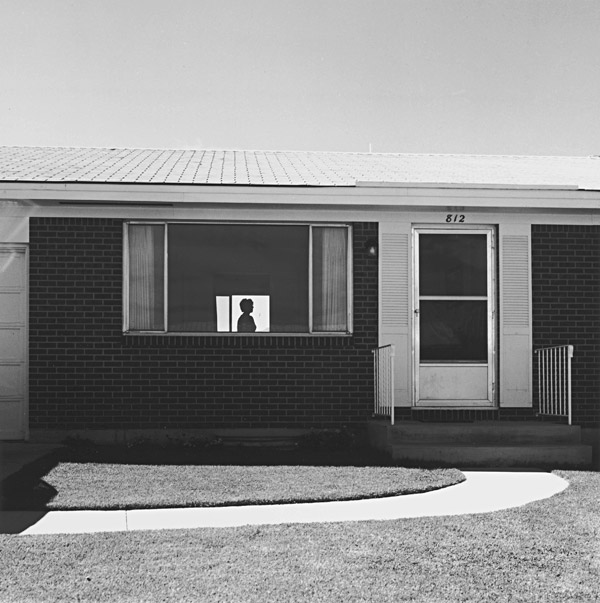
(238, 278)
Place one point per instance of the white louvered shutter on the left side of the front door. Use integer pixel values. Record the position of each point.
(394, 309)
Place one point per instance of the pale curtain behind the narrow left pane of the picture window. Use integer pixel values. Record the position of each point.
(146, 277)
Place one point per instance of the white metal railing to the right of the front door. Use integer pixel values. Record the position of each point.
(554, 381)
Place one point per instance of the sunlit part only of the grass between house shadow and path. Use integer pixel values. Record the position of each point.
(124, 486)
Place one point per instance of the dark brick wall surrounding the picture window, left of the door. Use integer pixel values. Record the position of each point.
(84, 373)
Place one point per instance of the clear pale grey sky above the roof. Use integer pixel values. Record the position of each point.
(406, 76)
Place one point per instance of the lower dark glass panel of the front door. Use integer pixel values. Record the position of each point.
(453, 331)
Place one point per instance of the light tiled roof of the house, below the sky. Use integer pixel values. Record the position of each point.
(292, 168)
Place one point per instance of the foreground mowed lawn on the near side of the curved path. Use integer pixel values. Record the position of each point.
(547, 551)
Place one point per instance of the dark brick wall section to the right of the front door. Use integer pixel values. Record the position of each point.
(566, 306)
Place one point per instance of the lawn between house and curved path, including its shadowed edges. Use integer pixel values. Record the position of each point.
(145, 475)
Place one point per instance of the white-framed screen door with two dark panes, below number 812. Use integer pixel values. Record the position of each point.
(454, 316)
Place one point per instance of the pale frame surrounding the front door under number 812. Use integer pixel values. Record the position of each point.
(492, 289)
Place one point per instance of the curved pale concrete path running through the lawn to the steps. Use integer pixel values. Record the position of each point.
(482, 492)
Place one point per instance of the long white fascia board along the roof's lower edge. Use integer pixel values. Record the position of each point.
(367, 197)
